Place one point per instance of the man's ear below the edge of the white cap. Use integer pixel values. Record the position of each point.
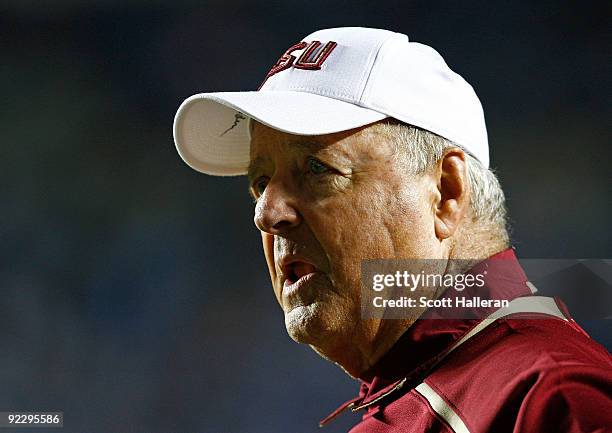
(453, 189)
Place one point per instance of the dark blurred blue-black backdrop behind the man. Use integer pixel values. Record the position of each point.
(133, 293)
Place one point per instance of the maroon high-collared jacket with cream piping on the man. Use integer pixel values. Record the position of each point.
(525, 372)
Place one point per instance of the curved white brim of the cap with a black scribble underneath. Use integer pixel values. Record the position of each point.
(211, 130)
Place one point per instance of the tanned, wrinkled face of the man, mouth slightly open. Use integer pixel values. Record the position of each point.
(324, 204)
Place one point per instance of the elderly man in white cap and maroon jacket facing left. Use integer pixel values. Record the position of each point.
(362, 145)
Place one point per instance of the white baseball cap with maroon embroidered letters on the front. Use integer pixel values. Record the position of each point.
(334, 80)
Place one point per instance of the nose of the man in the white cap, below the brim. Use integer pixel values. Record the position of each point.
(275, 212)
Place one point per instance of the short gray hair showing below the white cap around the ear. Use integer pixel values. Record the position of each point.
(420, 150)
